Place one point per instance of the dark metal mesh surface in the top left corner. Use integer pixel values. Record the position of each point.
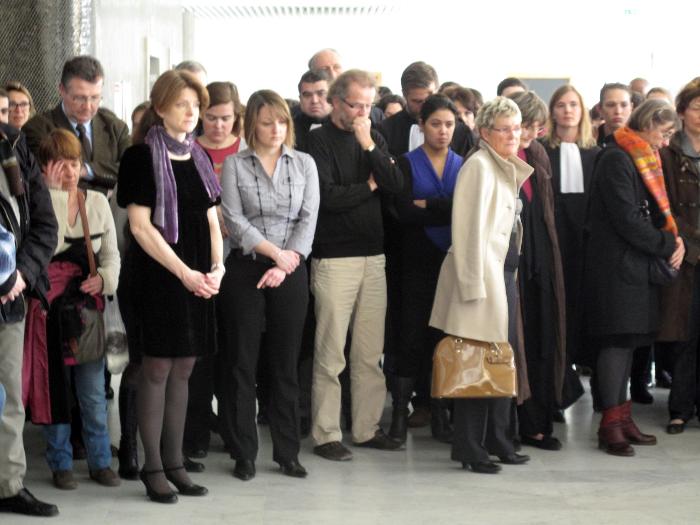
(37, 37)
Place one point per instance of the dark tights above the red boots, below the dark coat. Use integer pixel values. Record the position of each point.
(613, 371)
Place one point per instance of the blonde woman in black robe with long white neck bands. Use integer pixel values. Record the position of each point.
(572, 151)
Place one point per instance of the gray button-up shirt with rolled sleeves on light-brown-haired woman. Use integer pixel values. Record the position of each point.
(282, 209)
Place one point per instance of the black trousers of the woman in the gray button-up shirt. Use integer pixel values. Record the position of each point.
(247, 312)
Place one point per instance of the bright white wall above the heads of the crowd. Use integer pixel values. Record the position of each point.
(474, 43)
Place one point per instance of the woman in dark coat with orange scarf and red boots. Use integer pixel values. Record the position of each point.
(633, 238)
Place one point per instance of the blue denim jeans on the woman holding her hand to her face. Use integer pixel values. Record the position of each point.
(90, 388)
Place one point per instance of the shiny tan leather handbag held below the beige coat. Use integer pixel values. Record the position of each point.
(464, 368)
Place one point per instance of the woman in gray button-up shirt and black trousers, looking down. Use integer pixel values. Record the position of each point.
(270, 204)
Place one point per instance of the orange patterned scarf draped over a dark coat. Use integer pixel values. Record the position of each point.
(648, 164)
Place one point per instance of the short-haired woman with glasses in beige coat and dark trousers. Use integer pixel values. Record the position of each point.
(476, 292)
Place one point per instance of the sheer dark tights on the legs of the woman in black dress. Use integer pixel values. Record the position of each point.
(161, 409)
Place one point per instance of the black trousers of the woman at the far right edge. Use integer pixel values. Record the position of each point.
(684, 399)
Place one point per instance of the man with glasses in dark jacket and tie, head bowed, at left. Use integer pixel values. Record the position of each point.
(103, 136)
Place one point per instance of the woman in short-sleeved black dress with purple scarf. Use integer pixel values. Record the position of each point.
(173, 269)
